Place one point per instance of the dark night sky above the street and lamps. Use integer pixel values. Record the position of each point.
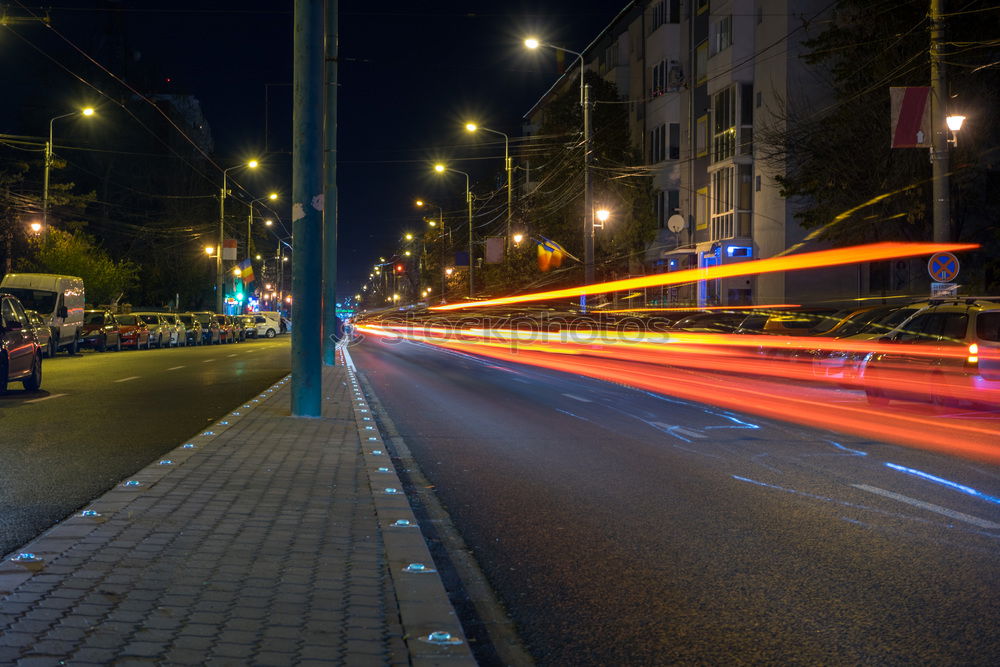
(411, 73)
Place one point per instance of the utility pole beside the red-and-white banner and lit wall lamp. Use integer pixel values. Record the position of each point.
(940, 158)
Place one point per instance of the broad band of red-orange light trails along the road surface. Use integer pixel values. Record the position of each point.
(742, 379)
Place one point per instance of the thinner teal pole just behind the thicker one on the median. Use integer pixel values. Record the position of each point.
(330, 322)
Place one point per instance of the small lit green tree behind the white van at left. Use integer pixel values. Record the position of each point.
(104, 279)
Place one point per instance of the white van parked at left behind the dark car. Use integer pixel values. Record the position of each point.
(58, 299)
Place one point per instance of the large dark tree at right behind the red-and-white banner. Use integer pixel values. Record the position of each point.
(837, 160)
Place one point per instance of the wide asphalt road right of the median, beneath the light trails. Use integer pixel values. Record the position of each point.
(621, 526)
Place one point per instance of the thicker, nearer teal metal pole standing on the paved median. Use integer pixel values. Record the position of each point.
(307, 215)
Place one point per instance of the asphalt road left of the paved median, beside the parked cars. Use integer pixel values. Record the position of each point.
(101, 416)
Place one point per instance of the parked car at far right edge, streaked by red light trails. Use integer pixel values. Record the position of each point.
(947, 352)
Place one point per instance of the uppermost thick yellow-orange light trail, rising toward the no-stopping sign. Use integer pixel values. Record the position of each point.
(810, 260)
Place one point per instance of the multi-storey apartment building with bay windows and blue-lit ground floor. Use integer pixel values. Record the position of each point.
(702, 78)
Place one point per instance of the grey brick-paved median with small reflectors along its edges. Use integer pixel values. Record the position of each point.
(264, 540)
